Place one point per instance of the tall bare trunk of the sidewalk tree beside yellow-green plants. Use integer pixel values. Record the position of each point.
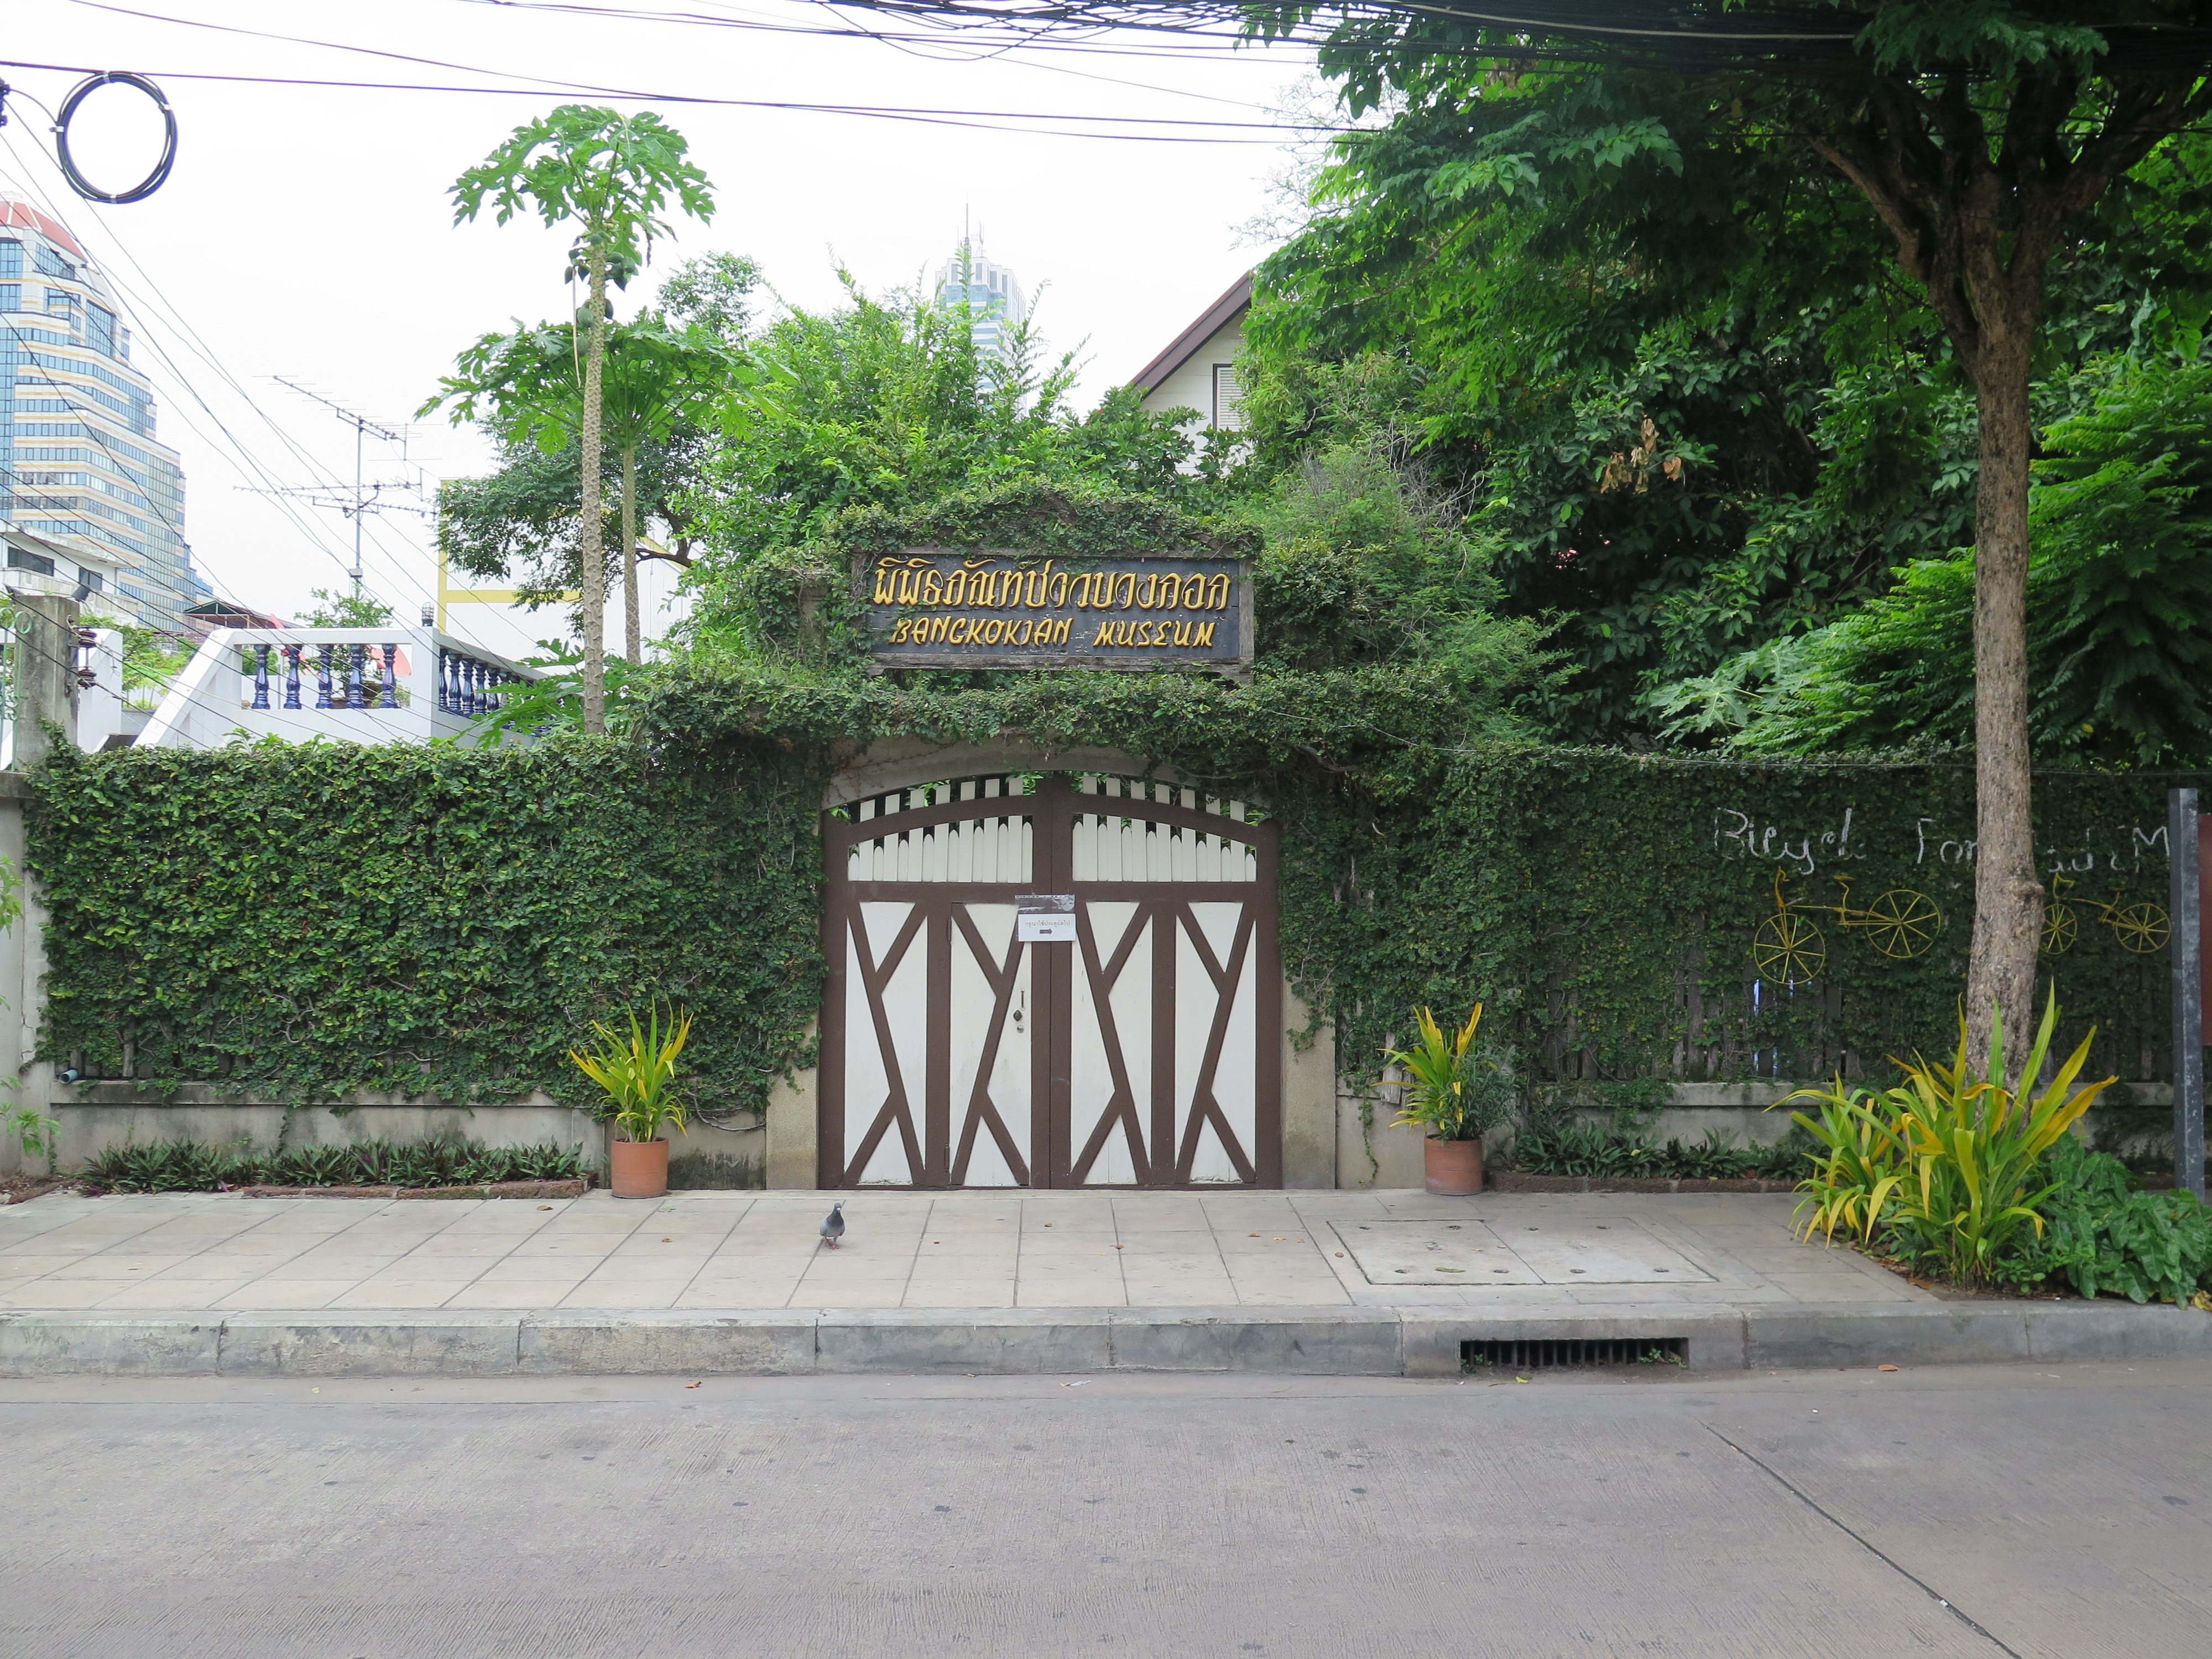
(2007, 895)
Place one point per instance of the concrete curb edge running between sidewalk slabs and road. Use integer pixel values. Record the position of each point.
(1014, 1342)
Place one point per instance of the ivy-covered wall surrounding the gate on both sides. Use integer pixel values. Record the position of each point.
(298, 924)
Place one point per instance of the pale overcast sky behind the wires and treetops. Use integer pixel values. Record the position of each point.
(309, 231)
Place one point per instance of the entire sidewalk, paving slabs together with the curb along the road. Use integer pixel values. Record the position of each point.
(1395, 1284)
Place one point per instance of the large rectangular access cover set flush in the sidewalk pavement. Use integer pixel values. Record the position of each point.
(1585, 1251)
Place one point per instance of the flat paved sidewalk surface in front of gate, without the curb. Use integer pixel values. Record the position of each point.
(744, 1251)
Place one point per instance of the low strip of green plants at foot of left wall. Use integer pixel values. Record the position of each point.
(194, 1167)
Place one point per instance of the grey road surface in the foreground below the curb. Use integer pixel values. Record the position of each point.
(1970, 1512)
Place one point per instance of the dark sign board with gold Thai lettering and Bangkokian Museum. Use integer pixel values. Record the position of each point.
(968, 609)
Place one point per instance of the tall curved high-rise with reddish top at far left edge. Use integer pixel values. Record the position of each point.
(94, 497)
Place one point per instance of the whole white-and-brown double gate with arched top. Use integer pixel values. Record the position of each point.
(1145, 1052)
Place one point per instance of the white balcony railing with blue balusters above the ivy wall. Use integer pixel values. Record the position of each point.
(342, 685)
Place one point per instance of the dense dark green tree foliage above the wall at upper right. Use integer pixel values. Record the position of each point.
(1667, 355)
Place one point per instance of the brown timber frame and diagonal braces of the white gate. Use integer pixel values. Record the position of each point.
(1162, 908)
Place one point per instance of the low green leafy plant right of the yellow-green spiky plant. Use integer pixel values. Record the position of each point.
(2105, 1235)
